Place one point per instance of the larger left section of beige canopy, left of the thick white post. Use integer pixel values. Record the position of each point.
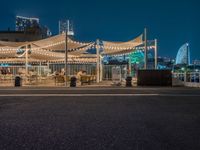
(50, 49)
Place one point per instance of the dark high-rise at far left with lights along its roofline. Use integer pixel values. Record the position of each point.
(23, 23)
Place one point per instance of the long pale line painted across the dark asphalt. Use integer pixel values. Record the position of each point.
(97, 95)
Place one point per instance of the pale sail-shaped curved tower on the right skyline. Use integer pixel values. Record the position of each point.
(183, 56)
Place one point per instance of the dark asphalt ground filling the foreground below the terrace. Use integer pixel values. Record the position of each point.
(139, 118)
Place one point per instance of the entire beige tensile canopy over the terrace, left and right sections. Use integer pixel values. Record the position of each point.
(52, 49)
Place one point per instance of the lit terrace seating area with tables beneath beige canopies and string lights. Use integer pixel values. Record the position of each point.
(45, 63)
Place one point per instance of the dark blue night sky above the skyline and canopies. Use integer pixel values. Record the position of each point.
(172, 22)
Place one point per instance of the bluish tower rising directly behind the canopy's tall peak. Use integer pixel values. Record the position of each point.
(65, 26)
